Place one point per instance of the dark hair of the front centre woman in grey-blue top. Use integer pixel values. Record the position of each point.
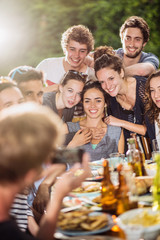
(95, 84)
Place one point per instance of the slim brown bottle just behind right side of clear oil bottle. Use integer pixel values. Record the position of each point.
(142, 155)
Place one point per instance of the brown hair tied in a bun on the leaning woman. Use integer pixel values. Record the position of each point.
(107, 58)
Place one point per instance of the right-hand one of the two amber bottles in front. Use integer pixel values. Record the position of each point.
(122, 193)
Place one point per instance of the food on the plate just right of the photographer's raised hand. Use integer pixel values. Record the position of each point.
(88, 187)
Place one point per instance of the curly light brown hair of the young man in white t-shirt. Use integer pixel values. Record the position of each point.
(78, 33)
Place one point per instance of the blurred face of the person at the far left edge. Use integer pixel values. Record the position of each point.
(10, 96)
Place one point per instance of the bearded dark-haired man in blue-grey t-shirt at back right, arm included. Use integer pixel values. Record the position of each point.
(134, 34)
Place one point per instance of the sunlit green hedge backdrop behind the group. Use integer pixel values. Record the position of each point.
(30, 30)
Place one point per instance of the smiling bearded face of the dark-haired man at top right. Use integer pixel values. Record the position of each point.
(132, 42)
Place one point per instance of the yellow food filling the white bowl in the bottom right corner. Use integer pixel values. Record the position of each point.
(145, 219)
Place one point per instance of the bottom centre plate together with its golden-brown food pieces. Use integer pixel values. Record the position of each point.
(84, 223)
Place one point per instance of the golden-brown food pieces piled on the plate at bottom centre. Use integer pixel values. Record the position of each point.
(81, 220)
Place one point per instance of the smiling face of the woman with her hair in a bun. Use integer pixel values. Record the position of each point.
(110, 80)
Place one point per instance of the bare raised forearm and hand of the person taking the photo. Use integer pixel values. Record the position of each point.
(64, 185)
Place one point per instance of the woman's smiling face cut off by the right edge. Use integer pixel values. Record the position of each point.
(155, 90)
